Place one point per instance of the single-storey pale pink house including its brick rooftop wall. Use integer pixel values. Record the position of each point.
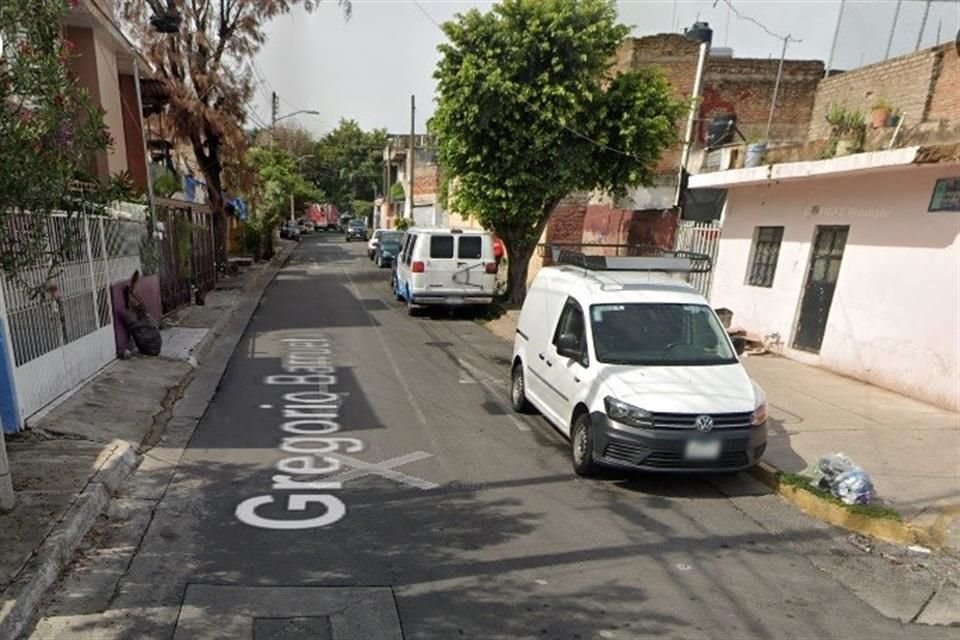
(852, 262)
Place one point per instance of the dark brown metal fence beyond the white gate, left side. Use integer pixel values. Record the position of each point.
(186, 260)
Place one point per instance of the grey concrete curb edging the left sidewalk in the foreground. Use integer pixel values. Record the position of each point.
(25, 593)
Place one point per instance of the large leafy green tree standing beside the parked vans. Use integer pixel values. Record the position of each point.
(529, 111)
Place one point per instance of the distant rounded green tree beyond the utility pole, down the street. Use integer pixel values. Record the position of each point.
(347, 163)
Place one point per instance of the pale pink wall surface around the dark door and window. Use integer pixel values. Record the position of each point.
(895, 317)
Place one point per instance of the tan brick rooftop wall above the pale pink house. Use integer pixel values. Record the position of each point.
(906, 82)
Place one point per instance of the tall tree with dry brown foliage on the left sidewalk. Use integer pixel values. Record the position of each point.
(205, 69)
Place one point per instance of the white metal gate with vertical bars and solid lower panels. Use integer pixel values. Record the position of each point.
(61, 332)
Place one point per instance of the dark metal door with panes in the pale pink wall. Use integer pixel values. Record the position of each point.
(822, 276)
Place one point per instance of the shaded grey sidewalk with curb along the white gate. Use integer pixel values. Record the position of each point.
(79, 451)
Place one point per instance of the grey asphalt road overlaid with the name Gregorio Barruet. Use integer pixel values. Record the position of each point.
(453, 517)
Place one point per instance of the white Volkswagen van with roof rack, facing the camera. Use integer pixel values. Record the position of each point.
(632, 364)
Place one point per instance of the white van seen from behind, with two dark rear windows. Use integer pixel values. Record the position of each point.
(445, 267)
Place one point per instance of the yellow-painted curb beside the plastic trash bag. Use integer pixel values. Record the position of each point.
(904, 533)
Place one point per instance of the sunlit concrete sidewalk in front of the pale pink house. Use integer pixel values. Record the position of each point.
(910, 449)
